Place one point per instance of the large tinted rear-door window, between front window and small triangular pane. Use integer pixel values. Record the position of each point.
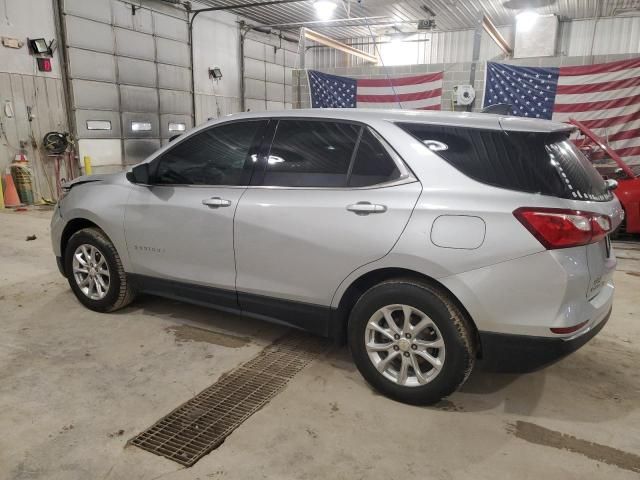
(311, 154)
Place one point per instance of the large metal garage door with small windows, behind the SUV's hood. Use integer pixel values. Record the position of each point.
(130, 77)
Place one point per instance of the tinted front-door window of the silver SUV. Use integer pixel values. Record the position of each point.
(216, 156)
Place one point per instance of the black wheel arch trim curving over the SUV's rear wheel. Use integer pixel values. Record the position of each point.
(361, 284)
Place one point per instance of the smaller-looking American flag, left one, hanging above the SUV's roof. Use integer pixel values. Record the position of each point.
(419, 92)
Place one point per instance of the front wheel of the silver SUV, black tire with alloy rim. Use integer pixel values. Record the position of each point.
(118, 292)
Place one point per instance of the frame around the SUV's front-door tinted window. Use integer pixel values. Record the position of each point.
(255, 146)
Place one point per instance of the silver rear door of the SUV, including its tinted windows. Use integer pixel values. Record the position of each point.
(331, 197)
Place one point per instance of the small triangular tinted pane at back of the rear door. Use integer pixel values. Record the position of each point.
(372, 164)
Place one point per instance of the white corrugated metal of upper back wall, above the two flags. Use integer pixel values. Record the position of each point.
(613, 35)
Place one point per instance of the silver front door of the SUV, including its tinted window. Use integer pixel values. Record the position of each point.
(180, 228)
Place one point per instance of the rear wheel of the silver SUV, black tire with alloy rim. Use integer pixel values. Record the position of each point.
(434, 318)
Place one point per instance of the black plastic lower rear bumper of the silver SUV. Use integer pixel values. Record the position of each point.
(522, 353)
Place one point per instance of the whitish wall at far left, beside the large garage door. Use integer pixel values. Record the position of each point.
(23, 89)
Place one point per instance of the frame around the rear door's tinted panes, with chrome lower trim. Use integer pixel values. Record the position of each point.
(406, 175)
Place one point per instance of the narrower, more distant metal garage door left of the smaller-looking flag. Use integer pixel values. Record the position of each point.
(268, 63)
